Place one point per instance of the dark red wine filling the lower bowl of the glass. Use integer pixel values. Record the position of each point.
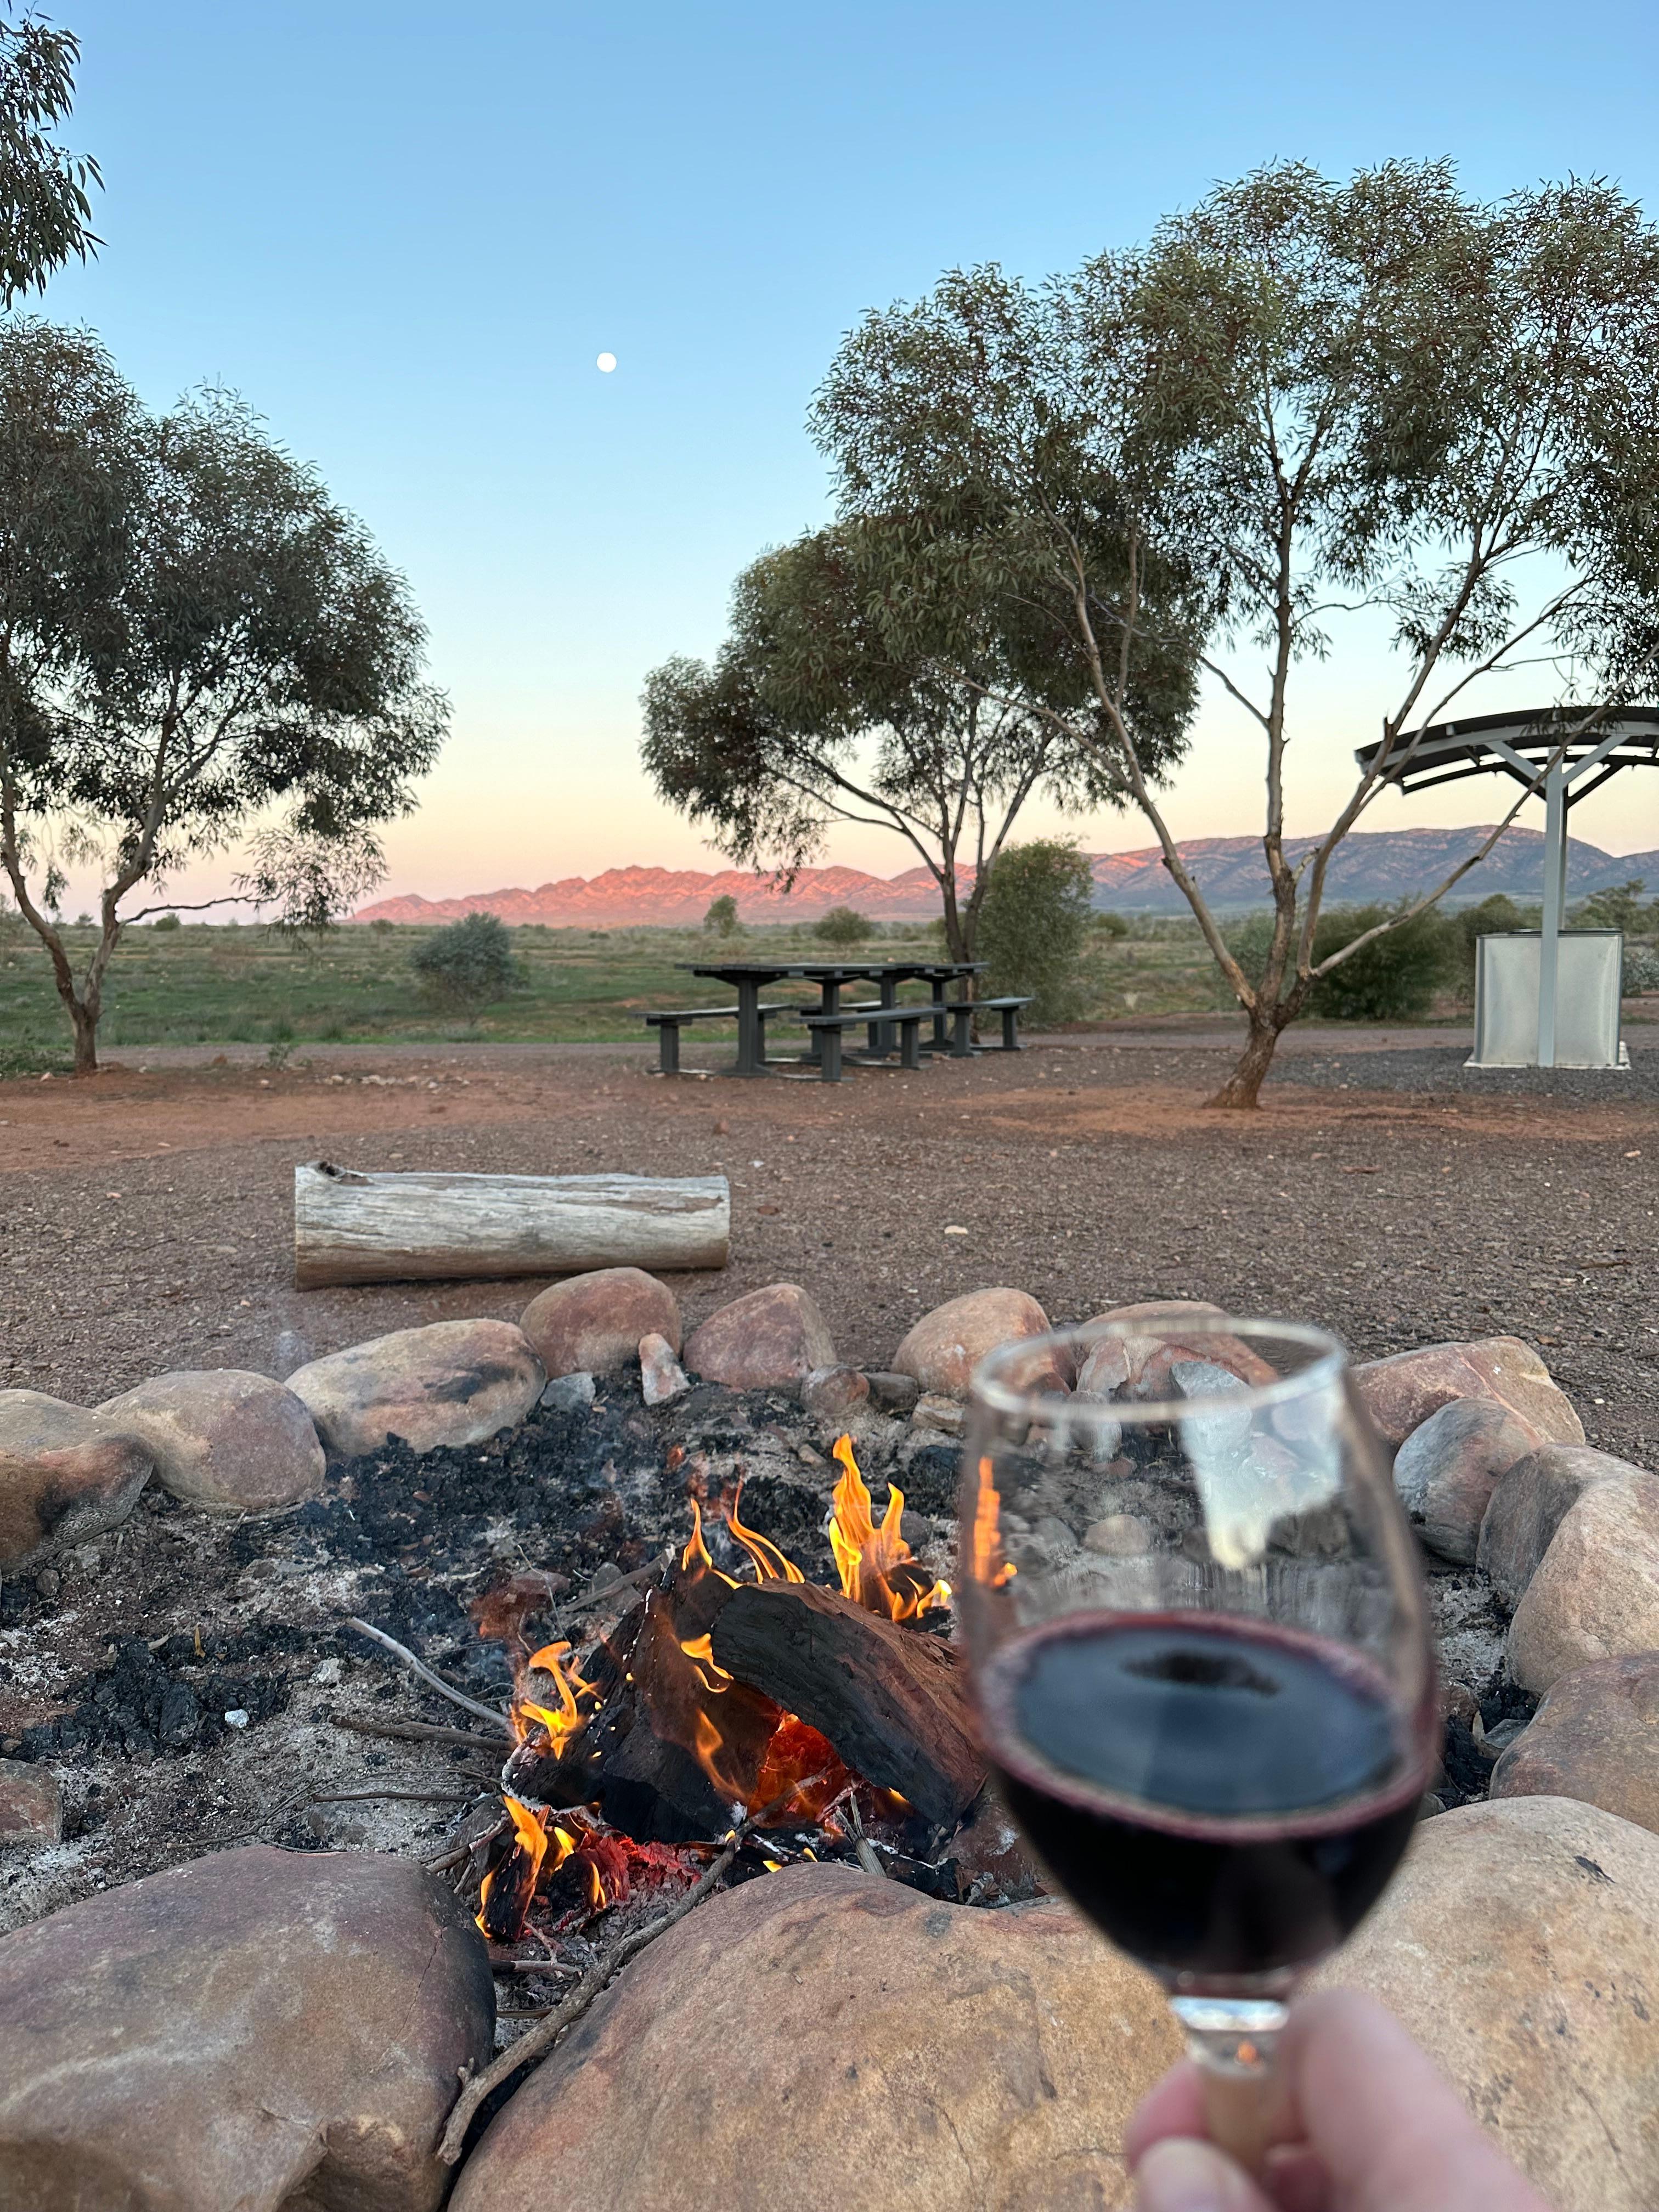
(1222, 1799)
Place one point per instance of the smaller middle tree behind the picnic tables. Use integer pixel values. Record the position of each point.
(868, 680)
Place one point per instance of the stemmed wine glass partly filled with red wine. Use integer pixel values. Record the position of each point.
(1202, 1658)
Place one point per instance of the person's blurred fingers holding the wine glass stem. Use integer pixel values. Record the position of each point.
(1368, 2125)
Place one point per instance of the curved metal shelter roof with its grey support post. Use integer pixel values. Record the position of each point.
(1563, 753)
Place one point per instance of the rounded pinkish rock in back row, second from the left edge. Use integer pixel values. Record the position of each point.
(225, 1439)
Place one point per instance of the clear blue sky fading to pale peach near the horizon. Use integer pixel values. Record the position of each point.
(406, 233)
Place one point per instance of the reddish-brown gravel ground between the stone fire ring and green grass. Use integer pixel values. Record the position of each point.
(149, 1215)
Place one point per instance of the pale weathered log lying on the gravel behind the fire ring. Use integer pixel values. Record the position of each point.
(432, 1227)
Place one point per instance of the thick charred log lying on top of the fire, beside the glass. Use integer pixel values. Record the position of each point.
(893, 1702)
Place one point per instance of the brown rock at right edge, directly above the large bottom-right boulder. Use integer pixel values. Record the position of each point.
(1596, 1738)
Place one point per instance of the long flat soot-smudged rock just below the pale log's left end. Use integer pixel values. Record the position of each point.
(452, 1384)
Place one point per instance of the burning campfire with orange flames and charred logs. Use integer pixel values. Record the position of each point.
(735, 1704)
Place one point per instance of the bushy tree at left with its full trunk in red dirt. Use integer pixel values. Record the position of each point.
(198, 649)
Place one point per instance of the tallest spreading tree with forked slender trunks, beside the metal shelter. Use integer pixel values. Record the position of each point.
(1300, 401)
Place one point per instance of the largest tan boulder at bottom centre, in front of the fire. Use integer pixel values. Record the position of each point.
(859, 2041)
